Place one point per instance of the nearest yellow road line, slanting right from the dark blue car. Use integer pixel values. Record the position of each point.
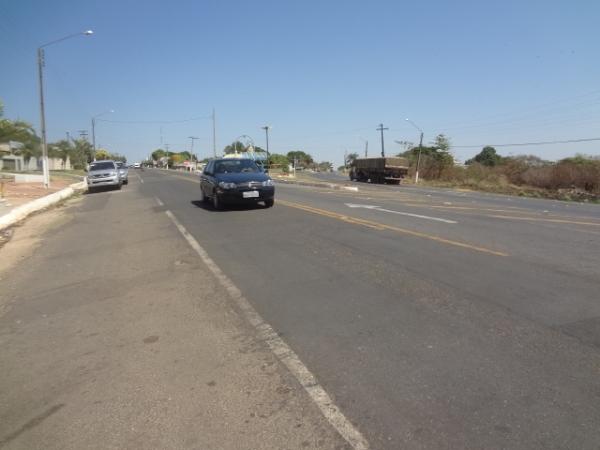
(381, 227)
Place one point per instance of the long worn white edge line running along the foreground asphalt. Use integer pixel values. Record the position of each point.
(281, 350)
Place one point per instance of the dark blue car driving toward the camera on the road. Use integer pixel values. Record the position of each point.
(235, 181)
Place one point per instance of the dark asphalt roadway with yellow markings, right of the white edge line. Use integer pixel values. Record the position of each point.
(433, 320)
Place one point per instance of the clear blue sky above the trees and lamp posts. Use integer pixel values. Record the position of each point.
(323, 74)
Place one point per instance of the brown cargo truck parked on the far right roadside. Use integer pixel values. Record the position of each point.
(379, 170)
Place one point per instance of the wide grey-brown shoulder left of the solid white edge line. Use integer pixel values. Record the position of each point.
(115, 335)
